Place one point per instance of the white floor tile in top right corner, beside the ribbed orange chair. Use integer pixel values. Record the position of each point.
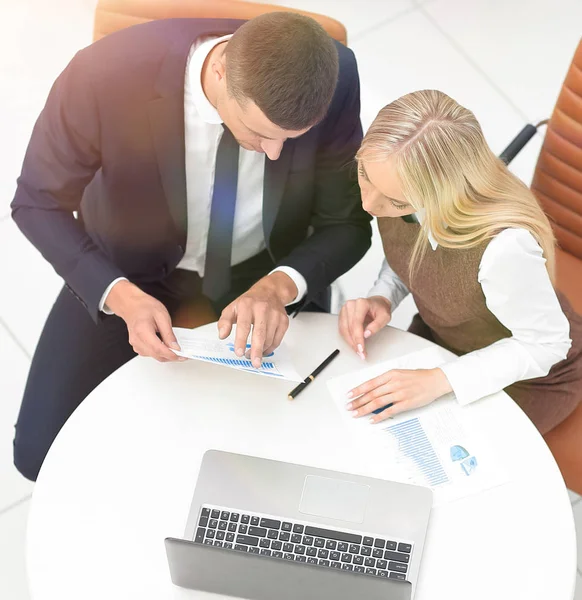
(525, 46)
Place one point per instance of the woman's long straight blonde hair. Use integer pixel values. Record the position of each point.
(447, 169)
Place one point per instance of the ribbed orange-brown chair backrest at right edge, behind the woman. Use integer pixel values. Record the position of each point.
(557, 179)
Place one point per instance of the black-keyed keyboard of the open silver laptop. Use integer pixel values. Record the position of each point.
(301, 542)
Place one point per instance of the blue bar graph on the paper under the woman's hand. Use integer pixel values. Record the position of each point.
(414, 445)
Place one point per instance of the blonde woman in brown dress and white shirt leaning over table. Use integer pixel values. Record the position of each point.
(477, 253)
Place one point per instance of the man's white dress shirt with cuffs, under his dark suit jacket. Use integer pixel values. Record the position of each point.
(203, 130)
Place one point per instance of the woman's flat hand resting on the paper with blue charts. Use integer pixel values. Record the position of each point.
(398, 391)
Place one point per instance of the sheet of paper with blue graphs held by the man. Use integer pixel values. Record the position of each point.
(204, 345)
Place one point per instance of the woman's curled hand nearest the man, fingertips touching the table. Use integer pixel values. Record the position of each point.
(362, 318)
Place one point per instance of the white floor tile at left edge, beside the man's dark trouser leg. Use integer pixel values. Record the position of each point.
(15, 365)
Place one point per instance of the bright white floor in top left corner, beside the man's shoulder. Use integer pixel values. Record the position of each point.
(37, 40)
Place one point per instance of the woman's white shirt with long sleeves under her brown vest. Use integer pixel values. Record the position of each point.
(518, 291)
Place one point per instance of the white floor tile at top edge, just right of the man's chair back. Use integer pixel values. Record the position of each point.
(356, 17)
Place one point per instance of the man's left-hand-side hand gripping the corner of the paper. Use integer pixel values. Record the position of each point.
(145, 318)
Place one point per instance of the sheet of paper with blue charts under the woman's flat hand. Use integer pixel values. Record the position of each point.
(439, 446)
